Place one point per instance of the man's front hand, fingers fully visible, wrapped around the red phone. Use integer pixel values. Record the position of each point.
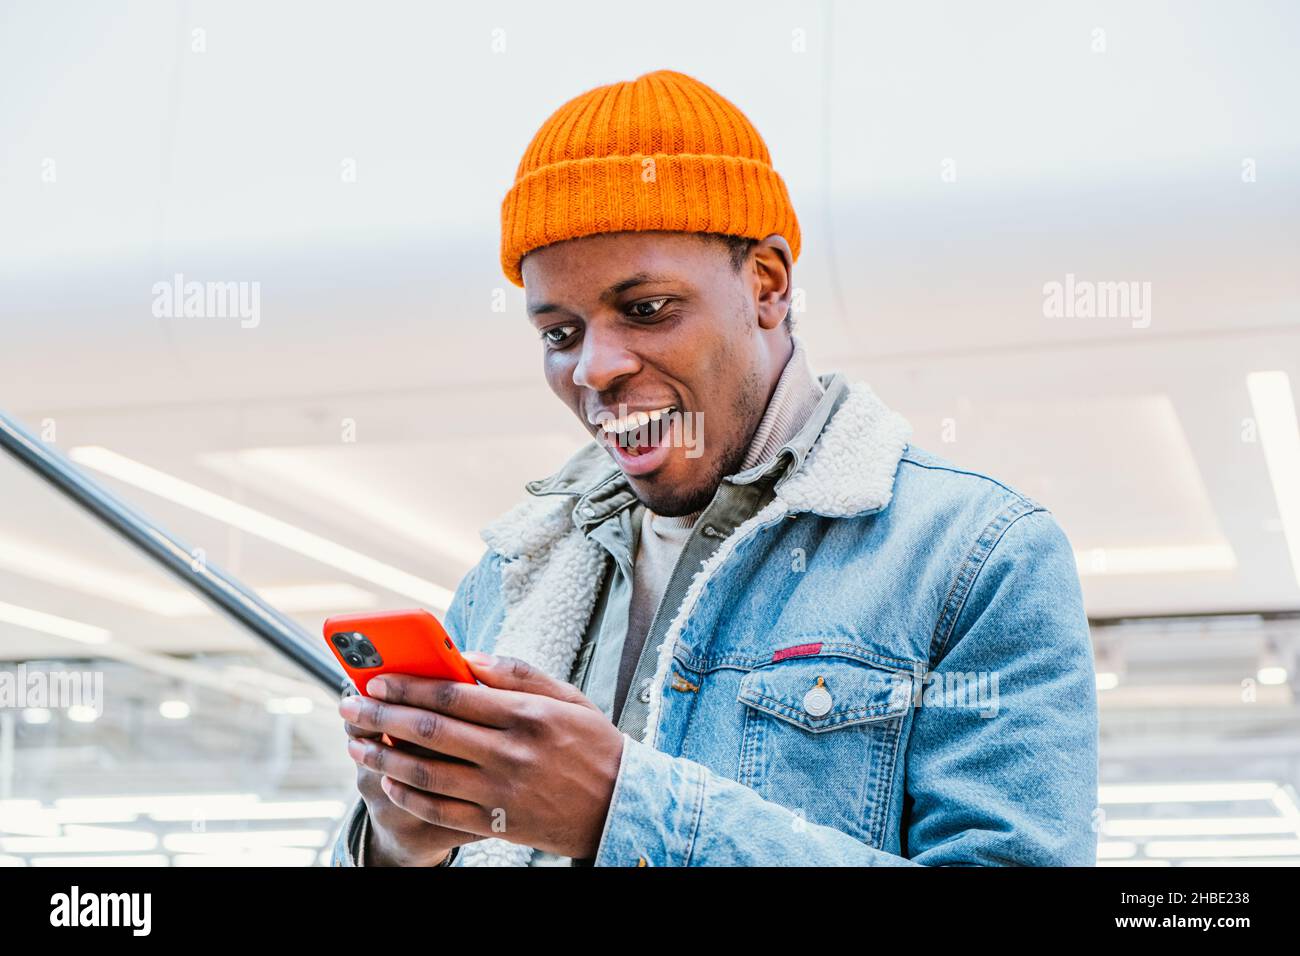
(522, 758)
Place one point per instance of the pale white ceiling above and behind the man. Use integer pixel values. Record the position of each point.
(378, 296)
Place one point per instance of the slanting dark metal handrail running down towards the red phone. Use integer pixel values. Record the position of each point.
(216, 586)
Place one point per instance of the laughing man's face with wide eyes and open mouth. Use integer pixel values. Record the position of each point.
(656, 323)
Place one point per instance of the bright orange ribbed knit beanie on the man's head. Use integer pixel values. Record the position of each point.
(662, 152)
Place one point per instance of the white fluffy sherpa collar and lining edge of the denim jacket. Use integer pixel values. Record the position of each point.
(553, 572)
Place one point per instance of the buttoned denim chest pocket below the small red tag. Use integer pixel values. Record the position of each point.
(822, 738)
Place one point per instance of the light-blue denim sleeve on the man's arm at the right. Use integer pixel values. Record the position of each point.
(1015, 788)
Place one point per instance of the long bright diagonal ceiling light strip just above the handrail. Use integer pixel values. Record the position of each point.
(262, 525)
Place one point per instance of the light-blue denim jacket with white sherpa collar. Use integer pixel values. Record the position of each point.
(889, 665)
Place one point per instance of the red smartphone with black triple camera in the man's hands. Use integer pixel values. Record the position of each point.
(408, 642)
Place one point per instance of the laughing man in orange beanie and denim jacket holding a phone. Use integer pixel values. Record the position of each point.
(748, 624)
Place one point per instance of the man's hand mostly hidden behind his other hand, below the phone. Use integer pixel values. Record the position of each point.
(396, 837)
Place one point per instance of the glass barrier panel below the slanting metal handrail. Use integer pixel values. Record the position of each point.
(140, 725)
